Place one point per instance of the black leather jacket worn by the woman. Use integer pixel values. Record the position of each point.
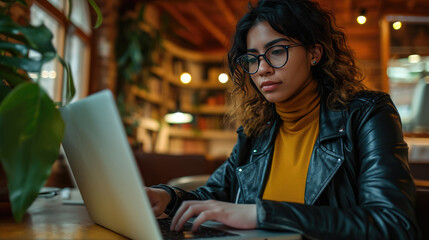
(358, 182)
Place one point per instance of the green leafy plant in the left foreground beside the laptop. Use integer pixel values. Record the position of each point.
(31, 125)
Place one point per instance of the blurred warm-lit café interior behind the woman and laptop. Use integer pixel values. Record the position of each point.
(168, 56)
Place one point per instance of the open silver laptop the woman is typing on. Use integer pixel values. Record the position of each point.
(107, 175)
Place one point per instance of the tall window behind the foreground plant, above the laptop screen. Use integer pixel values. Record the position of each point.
(71, 40)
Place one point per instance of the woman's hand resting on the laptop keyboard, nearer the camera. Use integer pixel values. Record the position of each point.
(241, 216)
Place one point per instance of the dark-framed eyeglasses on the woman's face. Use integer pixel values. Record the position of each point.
(276, 56)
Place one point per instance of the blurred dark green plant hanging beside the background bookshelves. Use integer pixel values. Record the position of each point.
(134, 49)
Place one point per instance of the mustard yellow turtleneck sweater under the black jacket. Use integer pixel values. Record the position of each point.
(294, 146)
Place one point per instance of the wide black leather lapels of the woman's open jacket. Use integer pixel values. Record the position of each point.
(331, 127)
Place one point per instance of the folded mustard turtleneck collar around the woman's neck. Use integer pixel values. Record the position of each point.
(302, 109)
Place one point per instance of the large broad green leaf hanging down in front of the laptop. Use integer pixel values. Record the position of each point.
(32, 130)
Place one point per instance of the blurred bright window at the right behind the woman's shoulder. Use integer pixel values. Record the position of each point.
(408, 69)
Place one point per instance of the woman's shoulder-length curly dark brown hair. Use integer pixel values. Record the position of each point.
(338, 76)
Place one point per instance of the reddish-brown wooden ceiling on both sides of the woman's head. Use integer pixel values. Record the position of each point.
(207, 26)
